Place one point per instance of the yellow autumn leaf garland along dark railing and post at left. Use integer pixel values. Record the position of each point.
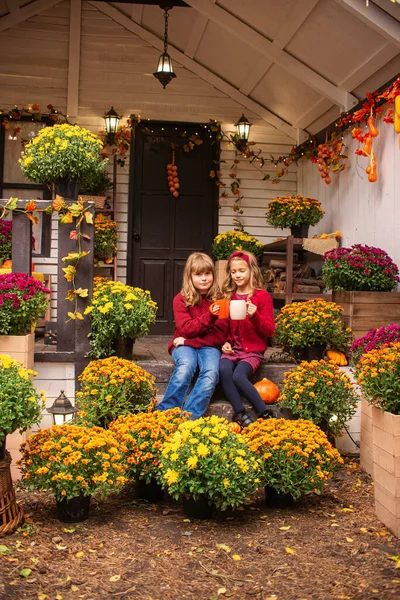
(67, 212)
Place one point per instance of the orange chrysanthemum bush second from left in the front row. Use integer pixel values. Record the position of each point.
(143, 436)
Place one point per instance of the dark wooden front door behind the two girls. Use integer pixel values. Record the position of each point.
(163, 230)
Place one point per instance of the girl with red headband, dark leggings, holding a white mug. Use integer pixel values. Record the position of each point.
(244, 351)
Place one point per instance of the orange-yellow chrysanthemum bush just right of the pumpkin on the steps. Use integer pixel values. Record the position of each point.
(321, 392)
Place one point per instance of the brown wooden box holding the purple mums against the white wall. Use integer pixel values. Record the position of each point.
(363, 311)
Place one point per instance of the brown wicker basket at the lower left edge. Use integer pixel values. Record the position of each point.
(11, 514)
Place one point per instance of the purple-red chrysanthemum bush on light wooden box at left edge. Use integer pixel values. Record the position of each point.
(22, 300)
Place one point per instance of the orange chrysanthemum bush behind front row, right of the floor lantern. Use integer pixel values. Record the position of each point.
(111, 387)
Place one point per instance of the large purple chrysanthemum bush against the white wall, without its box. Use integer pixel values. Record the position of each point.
(359, 268)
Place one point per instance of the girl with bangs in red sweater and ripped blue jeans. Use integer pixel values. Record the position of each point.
(197, 339)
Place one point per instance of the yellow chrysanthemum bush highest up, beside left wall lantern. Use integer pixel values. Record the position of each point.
(62, 151)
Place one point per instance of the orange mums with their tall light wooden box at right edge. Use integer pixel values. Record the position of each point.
(378, 374)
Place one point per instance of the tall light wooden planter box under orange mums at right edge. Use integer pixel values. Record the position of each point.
(386, 453)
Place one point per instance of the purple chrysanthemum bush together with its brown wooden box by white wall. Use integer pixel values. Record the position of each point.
(362, 279)
